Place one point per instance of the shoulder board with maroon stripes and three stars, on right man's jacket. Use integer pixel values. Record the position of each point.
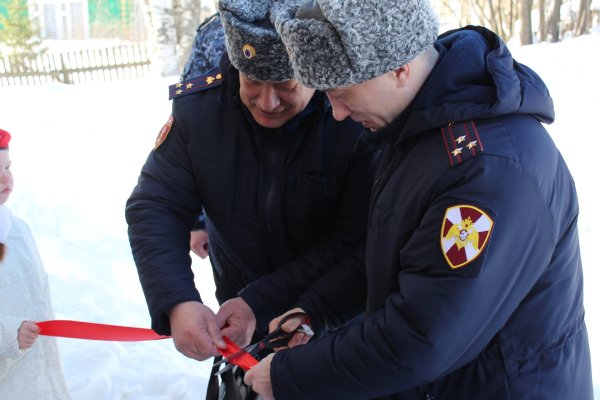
(462, 141)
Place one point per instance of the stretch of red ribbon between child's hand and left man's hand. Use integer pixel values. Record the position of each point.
(94, 331)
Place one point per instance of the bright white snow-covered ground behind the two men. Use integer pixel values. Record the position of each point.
(77, 152)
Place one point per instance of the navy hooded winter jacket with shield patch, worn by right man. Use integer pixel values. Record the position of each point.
(472, 259)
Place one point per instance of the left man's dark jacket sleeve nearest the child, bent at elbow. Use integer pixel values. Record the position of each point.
(161, 212)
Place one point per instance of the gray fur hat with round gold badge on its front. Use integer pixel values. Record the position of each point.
(253, 45)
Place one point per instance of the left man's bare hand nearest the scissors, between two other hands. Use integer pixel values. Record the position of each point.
(237, 321)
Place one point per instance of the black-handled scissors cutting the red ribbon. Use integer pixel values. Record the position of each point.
(277, 338)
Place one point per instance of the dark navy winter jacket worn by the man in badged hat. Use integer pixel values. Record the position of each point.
(291, 201)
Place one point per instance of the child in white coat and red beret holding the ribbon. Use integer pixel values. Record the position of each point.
(29, 365)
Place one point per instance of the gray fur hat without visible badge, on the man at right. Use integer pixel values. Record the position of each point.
(337, 43)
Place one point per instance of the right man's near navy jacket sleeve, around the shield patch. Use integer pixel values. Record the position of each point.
(439, 318)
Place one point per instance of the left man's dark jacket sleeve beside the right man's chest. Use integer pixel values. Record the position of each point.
(275, 293)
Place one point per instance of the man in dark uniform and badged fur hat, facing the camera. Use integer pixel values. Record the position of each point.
(284, 189)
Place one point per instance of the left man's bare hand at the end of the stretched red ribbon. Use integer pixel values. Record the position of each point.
(194, 330)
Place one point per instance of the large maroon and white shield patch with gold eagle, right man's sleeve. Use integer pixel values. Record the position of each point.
(464, 235)
